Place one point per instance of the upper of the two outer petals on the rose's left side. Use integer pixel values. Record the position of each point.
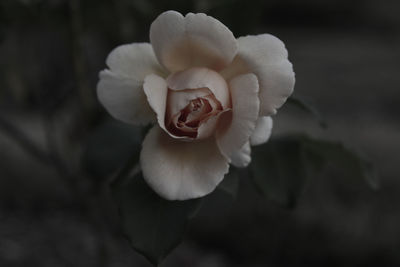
(134, 61)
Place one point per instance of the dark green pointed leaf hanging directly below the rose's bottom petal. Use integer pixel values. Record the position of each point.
(154, 226)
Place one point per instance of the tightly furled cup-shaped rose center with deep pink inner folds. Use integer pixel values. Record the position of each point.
(192, 113)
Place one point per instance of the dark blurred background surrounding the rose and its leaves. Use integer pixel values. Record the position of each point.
(346, 58)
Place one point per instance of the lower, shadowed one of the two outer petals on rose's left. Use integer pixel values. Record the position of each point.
(124, 98)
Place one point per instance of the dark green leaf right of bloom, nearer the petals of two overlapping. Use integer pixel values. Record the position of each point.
(279, 170)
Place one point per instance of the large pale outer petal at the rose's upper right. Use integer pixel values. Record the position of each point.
(265, 56)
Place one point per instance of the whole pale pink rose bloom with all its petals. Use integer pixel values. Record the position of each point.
(209, 95)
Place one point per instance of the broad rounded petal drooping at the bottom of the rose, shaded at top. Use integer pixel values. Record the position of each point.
(179, 170)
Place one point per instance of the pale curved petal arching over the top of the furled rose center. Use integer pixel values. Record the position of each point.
(195, 78)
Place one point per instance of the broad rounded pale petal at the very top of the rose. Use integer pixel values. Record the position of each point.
(194, 40)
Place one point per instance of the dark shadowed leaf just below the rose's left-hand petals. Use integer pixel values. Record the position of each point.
(110, 146)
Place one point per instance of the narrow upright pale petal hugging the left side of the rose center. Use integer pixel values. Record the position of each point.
(156, 91)
